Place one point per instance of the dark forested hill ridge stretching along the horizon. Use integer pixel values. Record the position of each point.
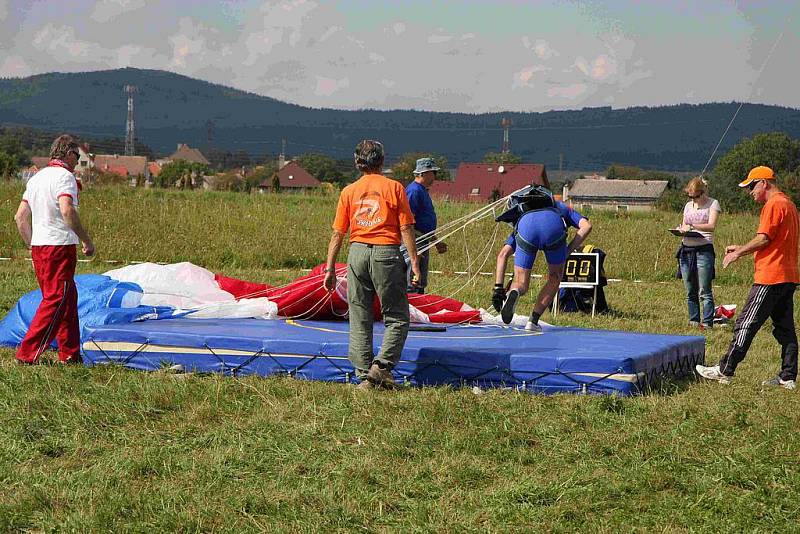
(170, 109)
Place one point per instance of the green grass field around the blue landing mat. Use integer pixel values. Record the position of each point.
(108, 449)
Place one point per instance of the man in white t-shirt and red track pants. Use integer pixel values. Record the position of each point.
(48, 222)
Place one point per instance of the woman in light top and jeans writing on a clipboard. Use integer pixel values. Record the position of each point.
(696, 255)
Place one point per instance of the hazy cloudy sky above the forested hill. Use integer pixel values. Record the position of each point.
(467, 56)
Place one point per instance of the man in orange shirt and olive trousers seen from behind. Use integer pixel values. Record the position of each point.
(376, 212)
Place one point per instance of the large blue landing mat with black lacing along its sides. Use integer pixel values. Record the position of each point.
(562, 360)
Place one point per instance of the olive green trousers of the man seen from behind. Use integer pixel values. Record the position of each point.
(371, 270)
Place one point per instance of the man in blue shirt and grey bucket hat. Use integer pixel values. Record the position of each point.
(425, 217)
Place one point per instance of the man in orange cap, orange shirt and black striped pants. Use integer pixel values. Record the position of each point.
(776, 277)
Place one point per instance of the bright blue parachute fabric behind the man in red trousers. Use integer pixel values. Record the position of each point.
(99, 298)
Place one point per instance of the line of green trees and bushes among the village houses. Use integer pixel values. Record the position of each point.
(237, 171)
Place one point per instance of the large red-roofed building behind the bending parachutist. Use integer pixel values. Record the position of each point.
(481, 182)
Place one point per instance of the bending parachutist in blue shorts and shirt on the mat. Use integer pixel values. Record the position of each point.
(544, 229)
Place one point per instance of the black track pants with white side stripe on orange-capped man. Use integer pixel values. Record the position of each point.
(765, 301)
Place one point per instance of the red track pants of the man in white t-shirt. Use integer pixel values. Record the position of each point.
(57, 316)
